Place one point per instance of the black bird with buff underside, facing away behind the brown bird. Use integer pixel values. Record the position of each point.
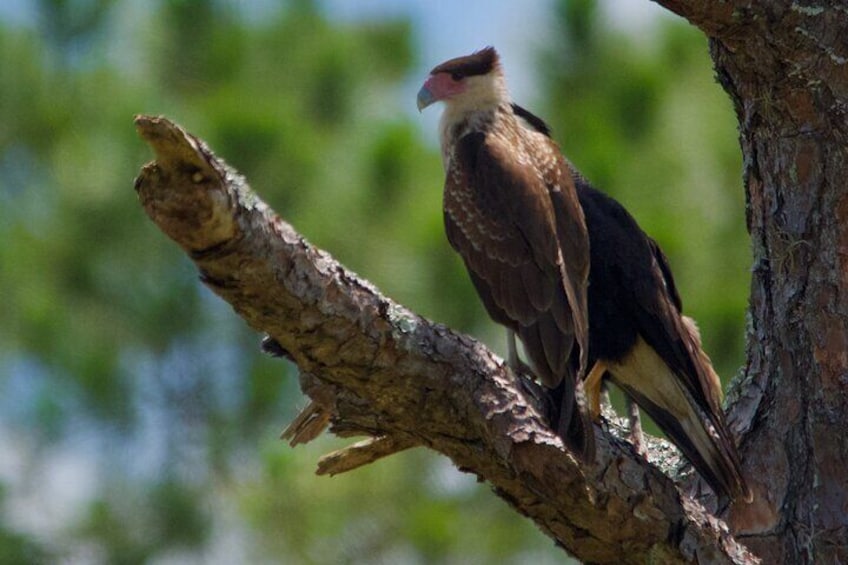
(640, 339)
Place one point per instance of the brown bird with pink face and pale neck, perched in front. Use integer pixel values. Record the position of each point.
(512, 214)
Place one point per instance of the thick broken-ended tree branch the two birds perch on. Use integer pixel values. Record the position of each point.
(375, 369)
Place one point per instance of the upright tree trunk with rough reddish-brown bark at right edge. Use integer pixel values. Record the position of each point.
(785, 66)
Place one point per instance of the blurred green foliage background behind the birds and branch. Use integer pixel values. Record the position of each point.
(138, 420)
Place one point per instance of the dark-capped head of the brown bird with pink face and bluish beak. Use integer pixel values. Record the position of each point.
(466, 84)
